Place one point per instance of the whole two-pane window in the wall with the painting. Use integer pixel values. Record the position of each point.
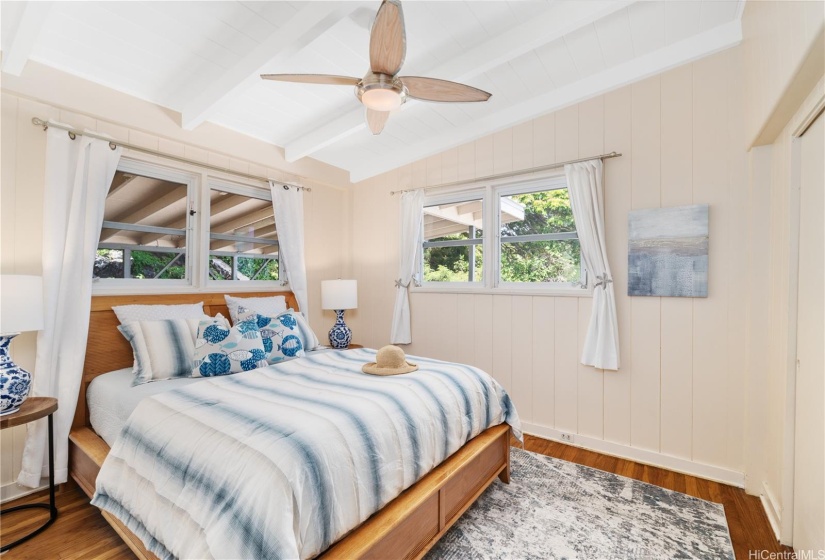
(533, 243)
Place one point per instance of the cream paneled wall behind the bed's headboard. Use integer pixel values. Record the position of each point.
(21, 204)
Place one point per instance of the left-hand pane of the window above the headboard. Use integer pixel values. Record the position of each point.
(145, 221)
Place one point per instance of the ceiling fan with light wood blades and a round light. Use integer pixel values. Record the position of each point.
(381, 90)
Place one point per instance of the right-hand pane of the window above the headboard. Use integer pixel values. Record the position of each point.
(243, 243)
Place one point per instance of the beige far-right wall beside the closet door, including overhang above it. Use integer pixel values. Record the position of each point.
(783, 67)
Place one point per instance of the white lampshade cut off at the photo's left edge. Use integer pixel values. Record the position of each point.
(21, 303)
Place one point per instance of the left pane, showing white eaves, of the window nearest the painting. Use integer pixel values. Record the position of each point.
(452, 250)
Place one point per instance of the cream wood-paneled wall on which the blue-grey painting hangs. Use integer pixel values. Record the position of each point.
(679, 396)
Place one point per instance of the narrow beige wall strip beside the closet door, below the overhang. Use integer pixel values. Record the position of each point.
(774, 229)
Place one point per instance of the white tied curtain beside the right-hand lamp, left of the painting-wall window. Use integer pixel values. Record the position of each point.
(412, 206)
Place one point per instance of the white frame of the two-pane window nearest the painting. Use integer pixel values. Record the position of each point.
(491, 201)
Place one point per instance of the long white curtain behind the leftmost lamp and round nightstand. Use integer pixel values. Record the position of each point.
(78, 175)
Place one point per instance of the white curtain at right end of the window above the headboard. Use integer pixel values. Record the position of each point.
(288, 203)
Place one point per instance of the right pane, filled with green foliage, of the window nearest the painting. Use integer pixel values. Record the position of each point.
(528, 259)
